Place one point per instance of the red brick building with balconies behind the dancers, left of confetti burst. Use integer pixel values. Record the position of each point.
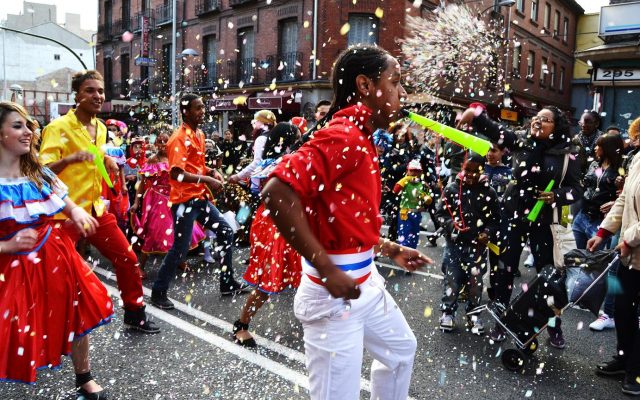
(262, 50)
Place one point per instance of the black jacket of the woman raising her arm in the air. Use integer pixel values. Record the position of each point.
(517, 202)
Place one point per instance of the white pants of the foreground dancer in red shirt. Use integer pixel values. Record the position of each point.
(337, 330)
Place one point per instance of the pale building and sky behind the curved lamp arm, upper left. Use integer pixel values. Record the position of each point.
(36, 72)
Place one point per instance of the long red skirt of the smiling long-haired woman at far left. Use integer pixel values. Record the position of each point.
(47, 298)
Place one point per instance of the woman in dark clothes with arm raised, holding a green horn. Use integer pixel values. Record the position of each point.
(538, 157)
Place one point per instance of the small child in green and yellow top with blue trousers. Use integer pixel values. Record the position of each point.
(414, 195)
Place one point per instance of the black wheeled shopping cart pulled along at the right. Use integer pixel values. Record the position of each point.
(546, 297)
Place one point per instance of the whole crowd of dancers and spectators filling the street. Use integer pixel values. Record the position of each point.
(181, 191)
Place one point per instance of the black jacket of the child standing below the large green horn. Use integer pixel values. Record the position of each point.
(478, 207)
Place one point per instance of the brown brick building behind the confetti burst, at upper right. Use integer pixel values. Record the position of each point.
(539, 56)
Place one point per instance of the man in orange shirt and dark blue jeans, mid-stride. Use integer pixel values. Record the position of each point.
(190, 179)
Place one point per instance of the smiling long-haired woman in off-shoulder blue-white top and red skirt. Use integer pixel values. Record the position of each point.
(49, 297)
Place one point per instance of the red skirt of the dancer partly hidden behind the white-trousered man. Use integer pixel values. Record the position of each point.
(273, 264)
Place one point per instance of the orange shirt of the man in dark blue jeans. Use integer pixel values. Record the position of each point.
(185, 150)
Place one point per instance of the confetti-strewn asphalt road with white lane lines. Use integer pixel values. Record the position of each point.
(193, 357)
